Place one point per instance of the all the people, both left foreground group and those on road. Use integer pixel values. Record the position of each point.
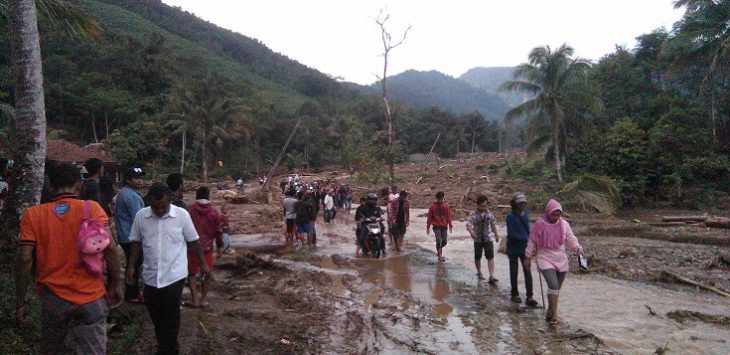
(168, 243)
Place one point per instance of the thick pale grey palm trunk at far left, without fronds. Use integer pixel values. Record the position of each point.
(29, 100)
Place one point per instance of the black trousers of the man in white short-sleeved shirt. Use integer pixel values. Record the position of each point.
(163, 304)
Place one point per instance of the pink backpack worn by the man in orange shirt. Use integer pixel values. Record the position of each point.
(92, 240)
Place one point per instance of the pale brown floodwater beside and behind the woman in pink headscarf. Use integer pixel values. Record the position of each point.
(614, 310)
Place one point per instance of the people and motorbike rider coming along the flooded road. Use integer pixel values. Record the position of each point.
(545, 241)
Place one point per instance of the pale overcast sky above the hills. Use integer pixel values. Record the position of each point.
(340, 37)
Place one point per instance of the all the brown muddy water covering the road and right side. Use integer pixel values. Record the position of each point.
(408, 302)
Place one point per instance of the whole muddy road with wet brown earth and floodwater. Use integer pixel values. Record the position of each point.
(325, 300)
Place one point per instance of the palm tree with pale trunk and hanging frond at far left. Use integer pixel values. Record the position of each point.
(22, 17)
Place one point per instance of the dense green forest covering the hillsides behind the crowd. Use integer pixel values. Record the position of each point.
(653, 118)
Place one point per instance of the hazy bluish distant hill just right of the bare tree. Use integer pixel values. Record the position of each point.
(425, 89)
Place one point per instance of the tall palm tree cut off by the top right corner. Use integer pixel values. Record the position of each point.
(705, 31)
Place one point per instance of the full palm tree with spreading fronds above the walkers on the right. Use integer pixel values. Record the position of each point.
(547, 75)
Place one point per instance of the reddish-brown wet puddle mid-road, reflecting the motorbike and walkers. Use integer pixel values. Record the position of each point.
(408, 302)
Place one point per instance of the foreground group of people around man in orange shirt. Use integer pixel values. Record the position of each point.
(167, 243)
